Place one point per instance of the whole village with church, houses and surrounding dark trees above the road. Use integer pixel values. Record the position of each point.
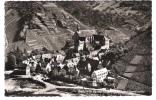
(84, 60)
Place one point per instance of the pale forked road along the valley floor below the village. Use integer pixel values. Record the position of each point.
(51, 88)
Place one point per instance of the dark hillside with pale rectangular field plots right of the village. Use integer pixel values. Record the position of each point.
(136, 65)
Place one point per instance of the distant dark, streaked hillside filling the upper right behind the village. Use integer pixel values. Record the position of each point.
(123, 17)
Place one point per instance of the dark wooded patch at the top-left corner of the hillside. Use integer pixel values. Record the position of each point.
(26, 9)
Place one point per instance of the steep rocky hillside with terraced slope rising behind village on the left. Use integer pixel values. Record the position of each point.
(49, 28)
